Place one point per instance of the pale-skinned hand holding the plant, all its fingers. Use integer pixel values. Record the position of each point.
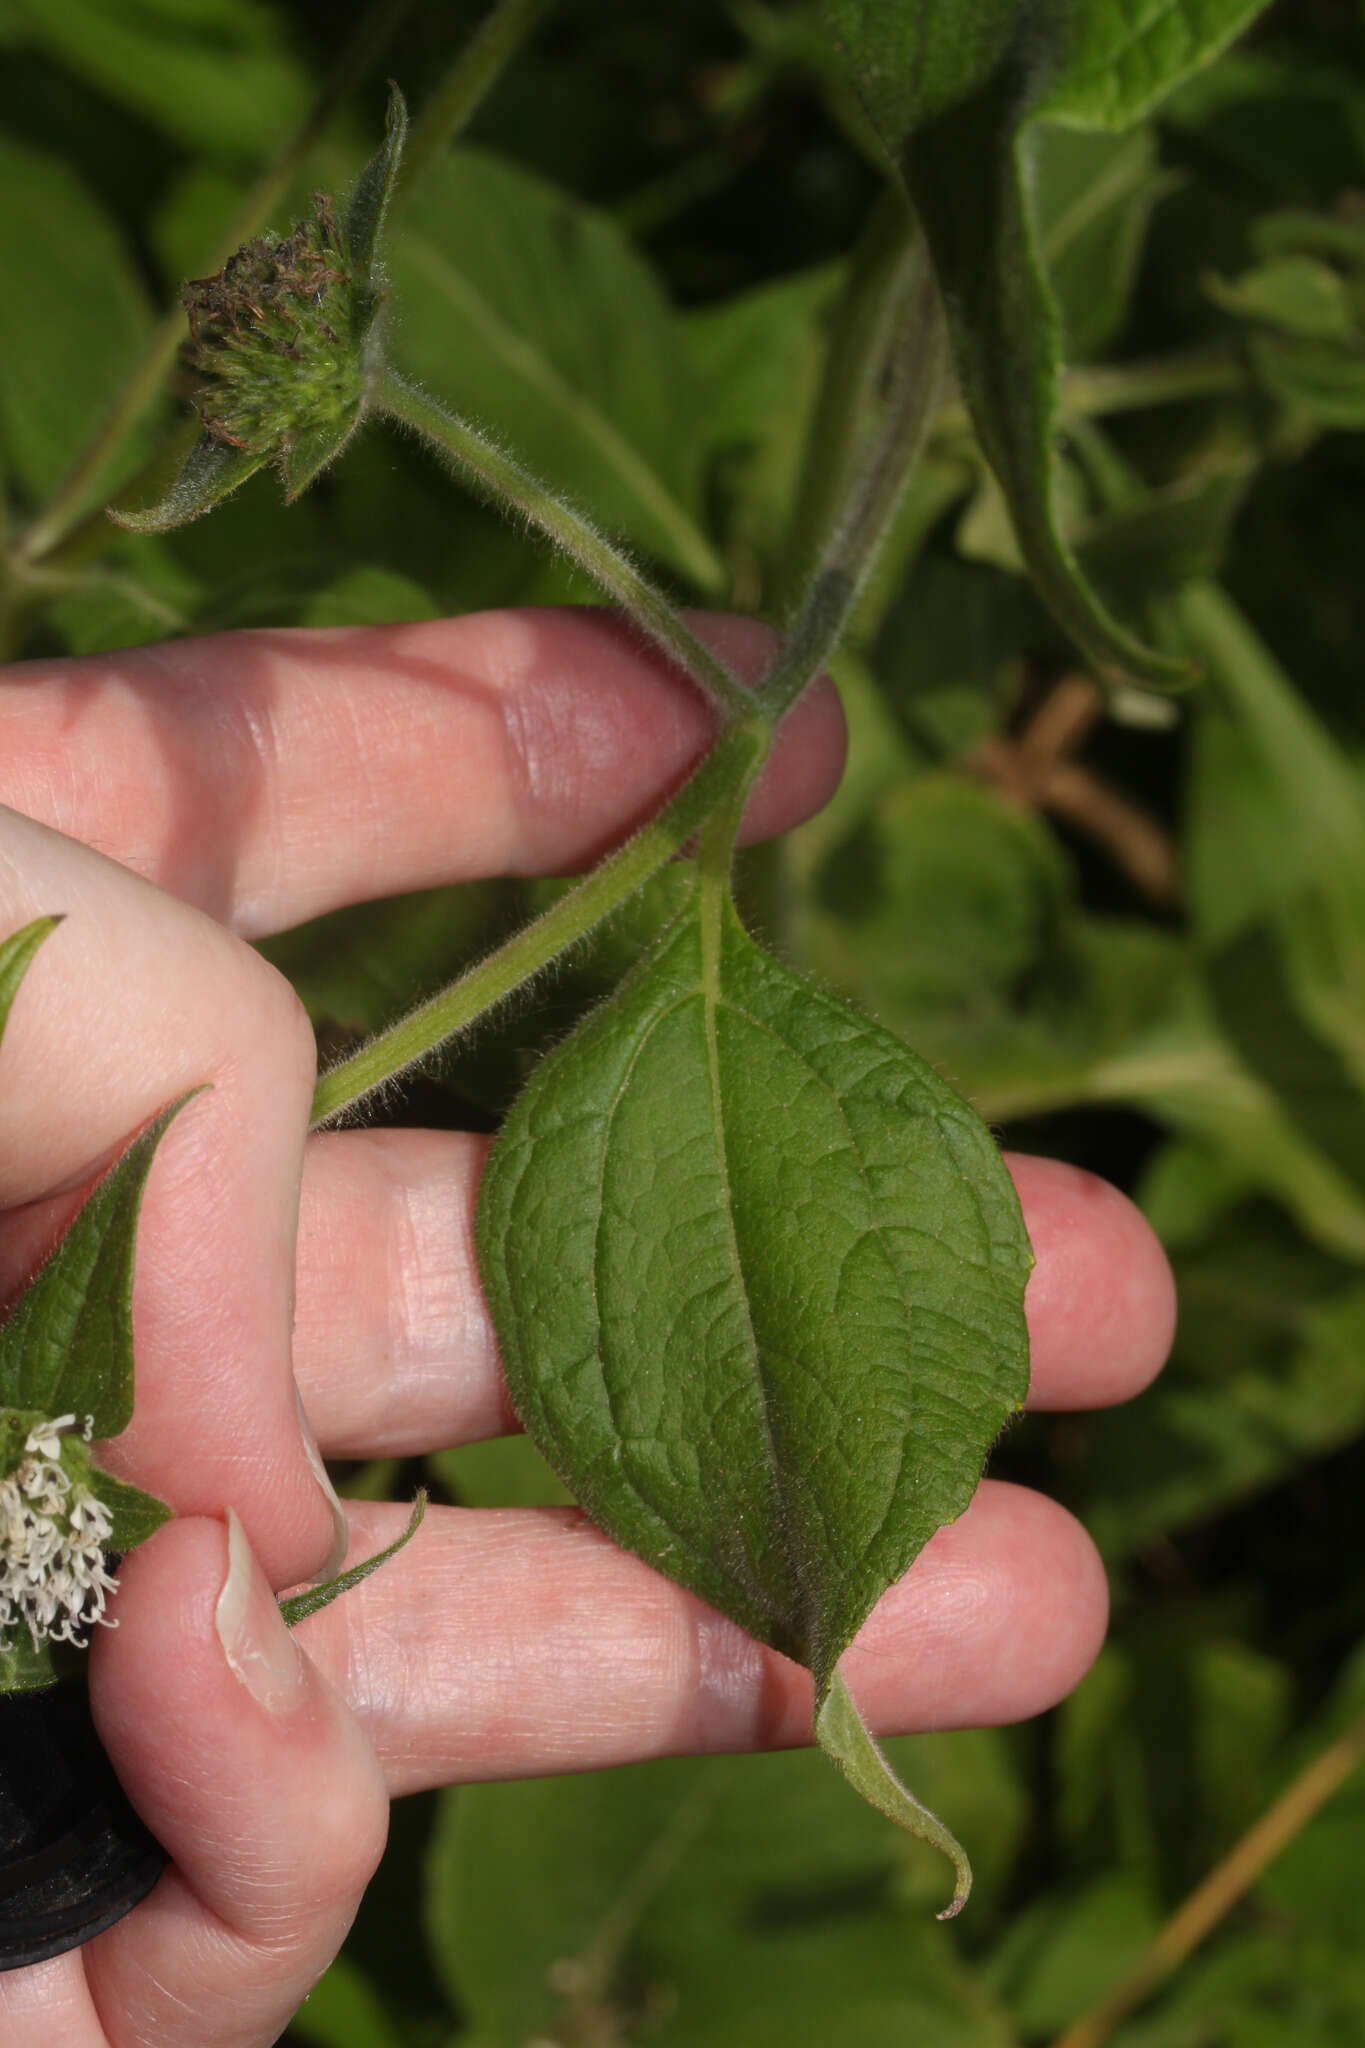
(177, 802)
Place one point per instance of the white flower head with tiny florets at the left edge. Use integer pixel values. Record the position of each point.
(54, 1537)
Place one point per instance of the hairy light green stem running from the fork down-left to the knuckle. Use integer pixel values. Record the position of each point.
(730, 765)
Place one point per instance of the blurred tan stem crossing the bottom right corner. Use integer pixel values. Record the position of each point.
(1225, 1885)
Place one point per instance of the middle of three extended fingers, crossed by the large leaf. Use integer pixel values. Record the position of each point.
(396, 1355)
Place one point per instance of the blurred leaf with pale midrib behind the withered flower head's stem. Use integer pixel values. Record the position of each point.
(533, 314)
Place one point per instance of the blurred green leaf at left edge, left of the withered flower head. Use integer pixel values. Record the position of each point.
(75, 314)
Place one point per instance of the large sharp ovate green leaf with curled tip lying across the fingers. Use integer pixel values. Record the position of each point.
(758, 1283)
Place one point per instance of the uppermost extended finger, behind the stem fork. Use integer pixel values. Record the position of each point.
(273, 775)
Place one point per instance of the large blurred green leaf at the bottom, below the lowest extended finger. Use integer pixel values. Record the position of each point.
(695, 1904)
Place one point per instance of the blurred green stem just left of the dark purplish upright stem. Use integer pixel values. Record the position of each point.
(854, 361)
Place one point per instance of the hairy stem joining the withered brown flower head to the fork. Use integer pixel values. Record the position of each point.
(507, 482)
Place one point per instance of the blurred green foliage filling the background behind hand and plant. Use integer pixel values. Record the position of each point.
(1131, 931)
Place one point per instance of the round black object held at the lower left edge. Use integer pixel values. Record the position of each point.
(75, 1857)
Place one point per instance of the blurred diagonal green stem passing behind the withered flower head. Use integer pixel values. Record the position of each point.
(77, 488)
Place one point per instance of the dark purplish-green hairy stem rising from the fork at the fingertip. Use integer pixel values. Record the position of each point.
(916, 351)
